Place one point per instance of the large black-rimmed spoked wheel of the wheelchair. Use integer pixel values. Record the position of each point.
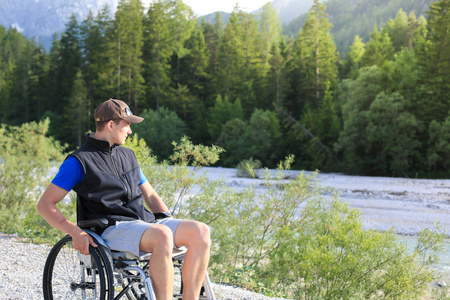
(70, 275)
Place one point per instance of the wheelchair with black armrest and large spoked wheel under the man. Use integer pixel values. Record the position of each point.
(105, 274)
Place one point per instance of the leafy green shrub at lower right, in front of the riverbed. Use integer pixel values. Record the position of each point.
(329, 256)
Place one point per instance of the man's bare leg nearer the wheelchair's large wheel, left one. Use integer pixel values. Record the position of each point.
(158, 239)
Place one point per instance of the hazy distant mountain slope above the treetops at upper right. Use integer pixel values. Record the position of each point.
(359, 17)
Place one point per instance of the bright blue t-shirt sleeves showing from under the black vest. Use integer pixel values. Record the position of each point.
(71, 173)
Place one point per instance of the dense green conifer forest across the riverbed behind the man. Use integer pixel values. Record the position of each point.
(383, 109)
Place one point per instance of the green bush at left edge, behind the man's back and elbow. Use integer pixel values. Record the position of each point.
(26, 155)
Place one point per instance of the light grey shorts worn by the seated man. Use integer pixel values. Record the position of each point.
(126, 236)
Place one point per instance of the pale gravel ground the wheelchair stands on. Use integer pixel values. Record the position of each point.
(22, 264)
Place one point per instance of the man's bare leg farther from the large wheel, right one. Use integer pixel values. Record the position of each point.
(196, 237)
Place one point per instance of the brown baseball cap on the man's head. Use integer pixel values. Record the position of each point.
(113, 109)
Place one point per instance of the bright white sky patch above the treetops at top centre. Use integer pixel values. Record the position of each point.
(204, 7)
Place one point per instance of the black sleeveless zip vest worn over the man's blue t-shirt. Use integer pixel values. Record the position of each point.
(110, 188)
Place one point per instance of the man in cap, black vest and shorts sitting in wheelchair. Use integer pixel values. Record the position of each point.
(110, 184)
